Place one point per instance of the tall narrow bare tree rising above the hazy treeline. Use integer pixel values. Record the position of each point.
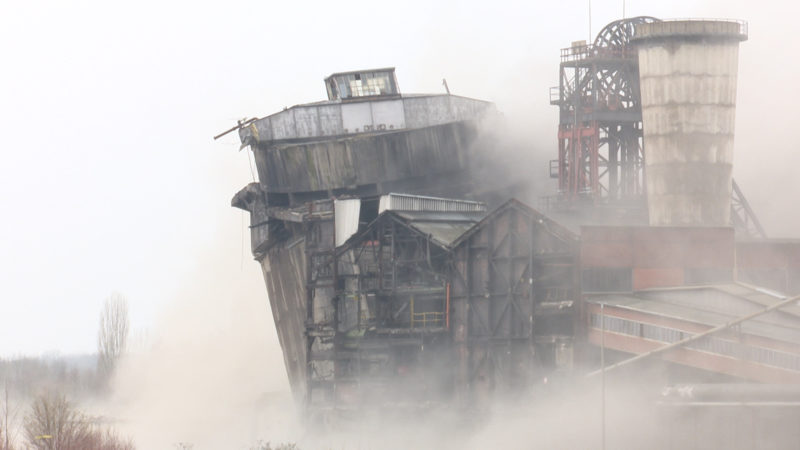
(113, 334)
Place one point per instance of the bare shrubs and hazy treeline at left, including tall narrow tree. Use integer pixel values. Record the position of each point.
(52, 422)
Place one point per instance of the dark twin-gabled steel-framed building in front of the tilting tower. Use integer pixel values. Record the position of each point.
(395, 315)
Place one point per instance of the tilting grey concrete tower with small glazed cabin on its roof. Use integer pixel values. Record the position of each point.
(366, 141)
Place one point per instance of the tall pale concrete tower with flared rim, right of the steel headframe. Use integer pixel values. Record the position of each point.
(688, 71)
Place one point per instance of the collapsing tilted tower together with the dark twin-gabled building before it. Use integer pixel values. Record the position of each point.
(365, 283)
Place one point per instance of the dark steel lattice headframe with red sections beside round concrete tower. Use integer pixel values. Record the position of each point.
(600, 147)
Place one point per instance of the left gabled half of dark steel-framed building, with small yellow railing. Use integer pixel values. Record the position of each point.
(377, 314)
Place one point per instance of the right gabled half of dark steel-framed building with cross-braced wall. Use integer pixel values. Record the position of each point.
(514, 292)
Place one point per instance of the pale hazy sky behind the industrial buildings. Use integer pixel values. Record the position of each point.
(110, 180)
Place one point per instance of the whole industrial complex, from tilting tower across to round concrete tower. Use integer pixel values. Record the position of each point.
(397, 277)
